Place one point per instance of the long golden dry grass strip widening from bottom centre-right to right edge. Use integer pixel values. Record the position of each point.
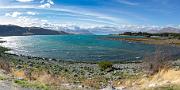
(163, 78)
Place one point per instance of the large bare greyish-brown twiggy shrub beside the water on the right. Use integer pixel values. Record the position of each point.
(161, 59)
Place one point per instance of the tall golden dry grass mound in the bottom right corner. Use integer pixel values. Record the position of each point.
(162, 79)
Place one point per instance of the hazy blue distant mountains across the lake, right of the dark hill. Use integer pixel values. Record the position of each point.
(115, 30)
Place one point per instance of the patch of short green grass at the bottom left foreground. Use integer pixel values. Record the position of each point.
(29, 84)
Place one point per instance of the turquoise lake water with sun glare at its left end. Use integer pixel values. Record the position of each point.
(78, 47)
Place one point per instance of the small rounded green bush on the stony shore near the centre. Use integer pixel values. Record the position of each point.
(105, 65)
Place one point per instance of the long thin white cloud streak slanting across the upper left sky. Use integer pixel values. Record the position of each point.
(78, 12)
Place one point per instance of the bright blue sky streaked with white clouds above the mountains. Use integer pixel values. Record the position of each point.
(91, 13)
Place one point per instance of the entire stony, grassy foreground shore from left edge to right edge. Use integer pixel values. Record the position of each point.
(53, 74)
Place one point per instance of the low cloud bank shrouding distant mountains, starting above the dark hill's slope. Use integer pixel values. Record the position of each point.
(113, 30)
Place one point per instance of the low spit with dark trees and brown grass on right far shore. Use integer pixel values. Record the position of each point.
(172, 39)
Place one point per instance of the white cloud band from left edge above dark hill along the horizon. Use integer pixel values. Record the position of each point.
(27, 21)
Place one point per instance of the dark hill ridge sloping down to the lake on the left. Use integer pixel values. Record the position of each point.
(13, 30)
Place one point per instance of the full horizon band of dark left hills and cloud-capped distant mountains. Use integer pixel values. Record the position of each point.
(13, 30)
